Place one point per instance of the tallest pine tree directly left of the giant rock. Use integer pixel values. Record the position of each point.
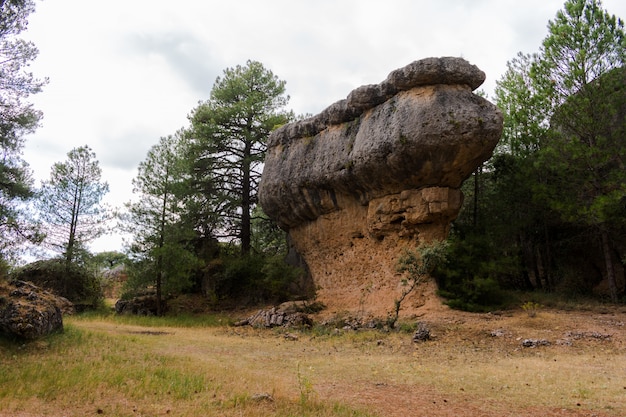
(229, 133)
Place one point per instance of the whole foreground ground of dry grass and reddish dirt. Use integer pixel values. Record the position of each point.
(475, 365)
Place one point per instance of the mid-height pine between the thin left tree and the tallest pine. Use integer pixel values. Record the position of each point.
(161, 248)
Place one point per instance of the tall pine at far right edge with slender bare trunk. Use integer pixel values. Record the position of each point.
(581, 72)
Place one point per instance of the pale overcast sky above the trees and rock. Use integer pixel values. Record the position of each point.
(125, 72)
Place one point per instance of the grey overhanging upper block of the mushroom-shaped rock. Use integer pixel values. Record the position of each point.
(421, 127)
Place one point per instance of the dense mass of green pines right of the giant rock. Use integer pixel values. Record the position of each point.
(557, 178)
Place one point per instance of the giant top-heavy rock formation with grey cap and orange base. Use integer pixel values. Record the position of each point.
(376, 173)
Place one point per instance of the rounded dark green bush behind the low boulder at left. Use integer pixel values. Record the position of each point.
(78, 284)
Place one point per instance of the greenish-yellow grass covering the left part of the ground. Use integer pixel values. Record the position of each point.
(128, 372)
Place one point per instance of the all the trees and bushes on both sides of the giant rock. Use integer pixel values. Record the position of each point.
(546, 213)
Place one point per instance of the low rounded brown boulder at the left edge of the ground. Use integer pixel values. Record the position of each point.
(29, 312)
